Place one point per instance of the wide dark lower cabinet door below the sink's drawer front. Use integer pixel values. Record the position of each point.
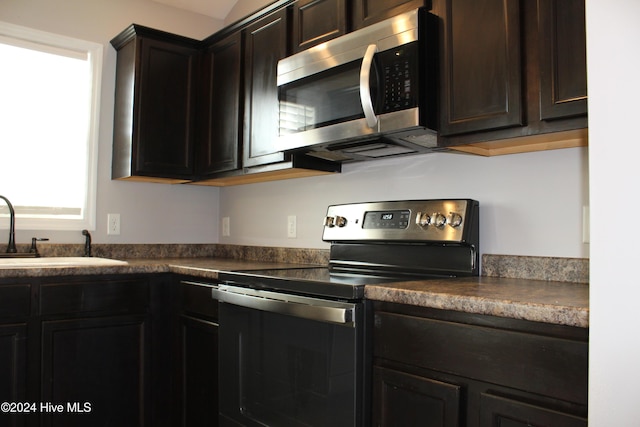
(98, 367)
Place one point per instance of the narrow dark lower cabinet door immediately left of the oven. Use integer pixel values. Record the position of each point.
(199, 372)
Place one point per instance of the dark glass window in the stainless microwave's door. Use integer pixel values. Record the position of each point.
(323, 99)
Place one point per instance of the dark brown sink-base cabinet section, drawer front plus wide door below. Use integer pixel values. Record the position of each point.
(95, 351)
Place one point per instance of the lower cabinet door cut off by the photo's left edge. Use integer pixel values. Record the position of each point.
(13, 371)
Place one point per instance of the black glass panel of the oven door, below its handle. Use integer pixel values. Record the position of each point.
(279, 370)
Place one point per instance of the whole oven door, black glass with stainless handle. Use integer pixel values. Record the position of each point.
(290, 361)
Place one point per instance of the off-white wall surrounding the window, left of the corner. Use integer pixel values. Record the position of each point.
(150, 213)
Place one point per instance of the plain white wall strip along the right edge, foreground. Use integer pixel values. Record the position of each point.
(613, 35)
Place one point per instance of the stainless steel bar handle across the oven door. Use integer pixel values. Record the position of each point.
(320, 310)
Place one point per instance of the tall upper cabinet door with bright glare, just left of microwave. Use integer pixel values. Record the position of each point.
(265, 44)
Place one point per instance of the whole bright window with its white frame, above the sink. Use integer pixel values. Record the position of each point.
(49, 105)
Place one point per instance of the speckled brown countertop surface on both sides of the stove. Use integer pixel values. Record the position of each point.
(555, 302)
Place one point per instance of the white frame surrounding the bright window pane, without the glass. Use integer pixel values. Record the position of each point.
(18, 35)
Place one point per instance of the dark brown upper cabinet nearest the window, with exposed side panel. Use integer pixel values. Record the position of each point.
(154, 106)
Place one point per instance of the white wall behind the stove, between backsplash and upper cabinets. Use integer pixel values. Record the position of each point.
(531, 204)
